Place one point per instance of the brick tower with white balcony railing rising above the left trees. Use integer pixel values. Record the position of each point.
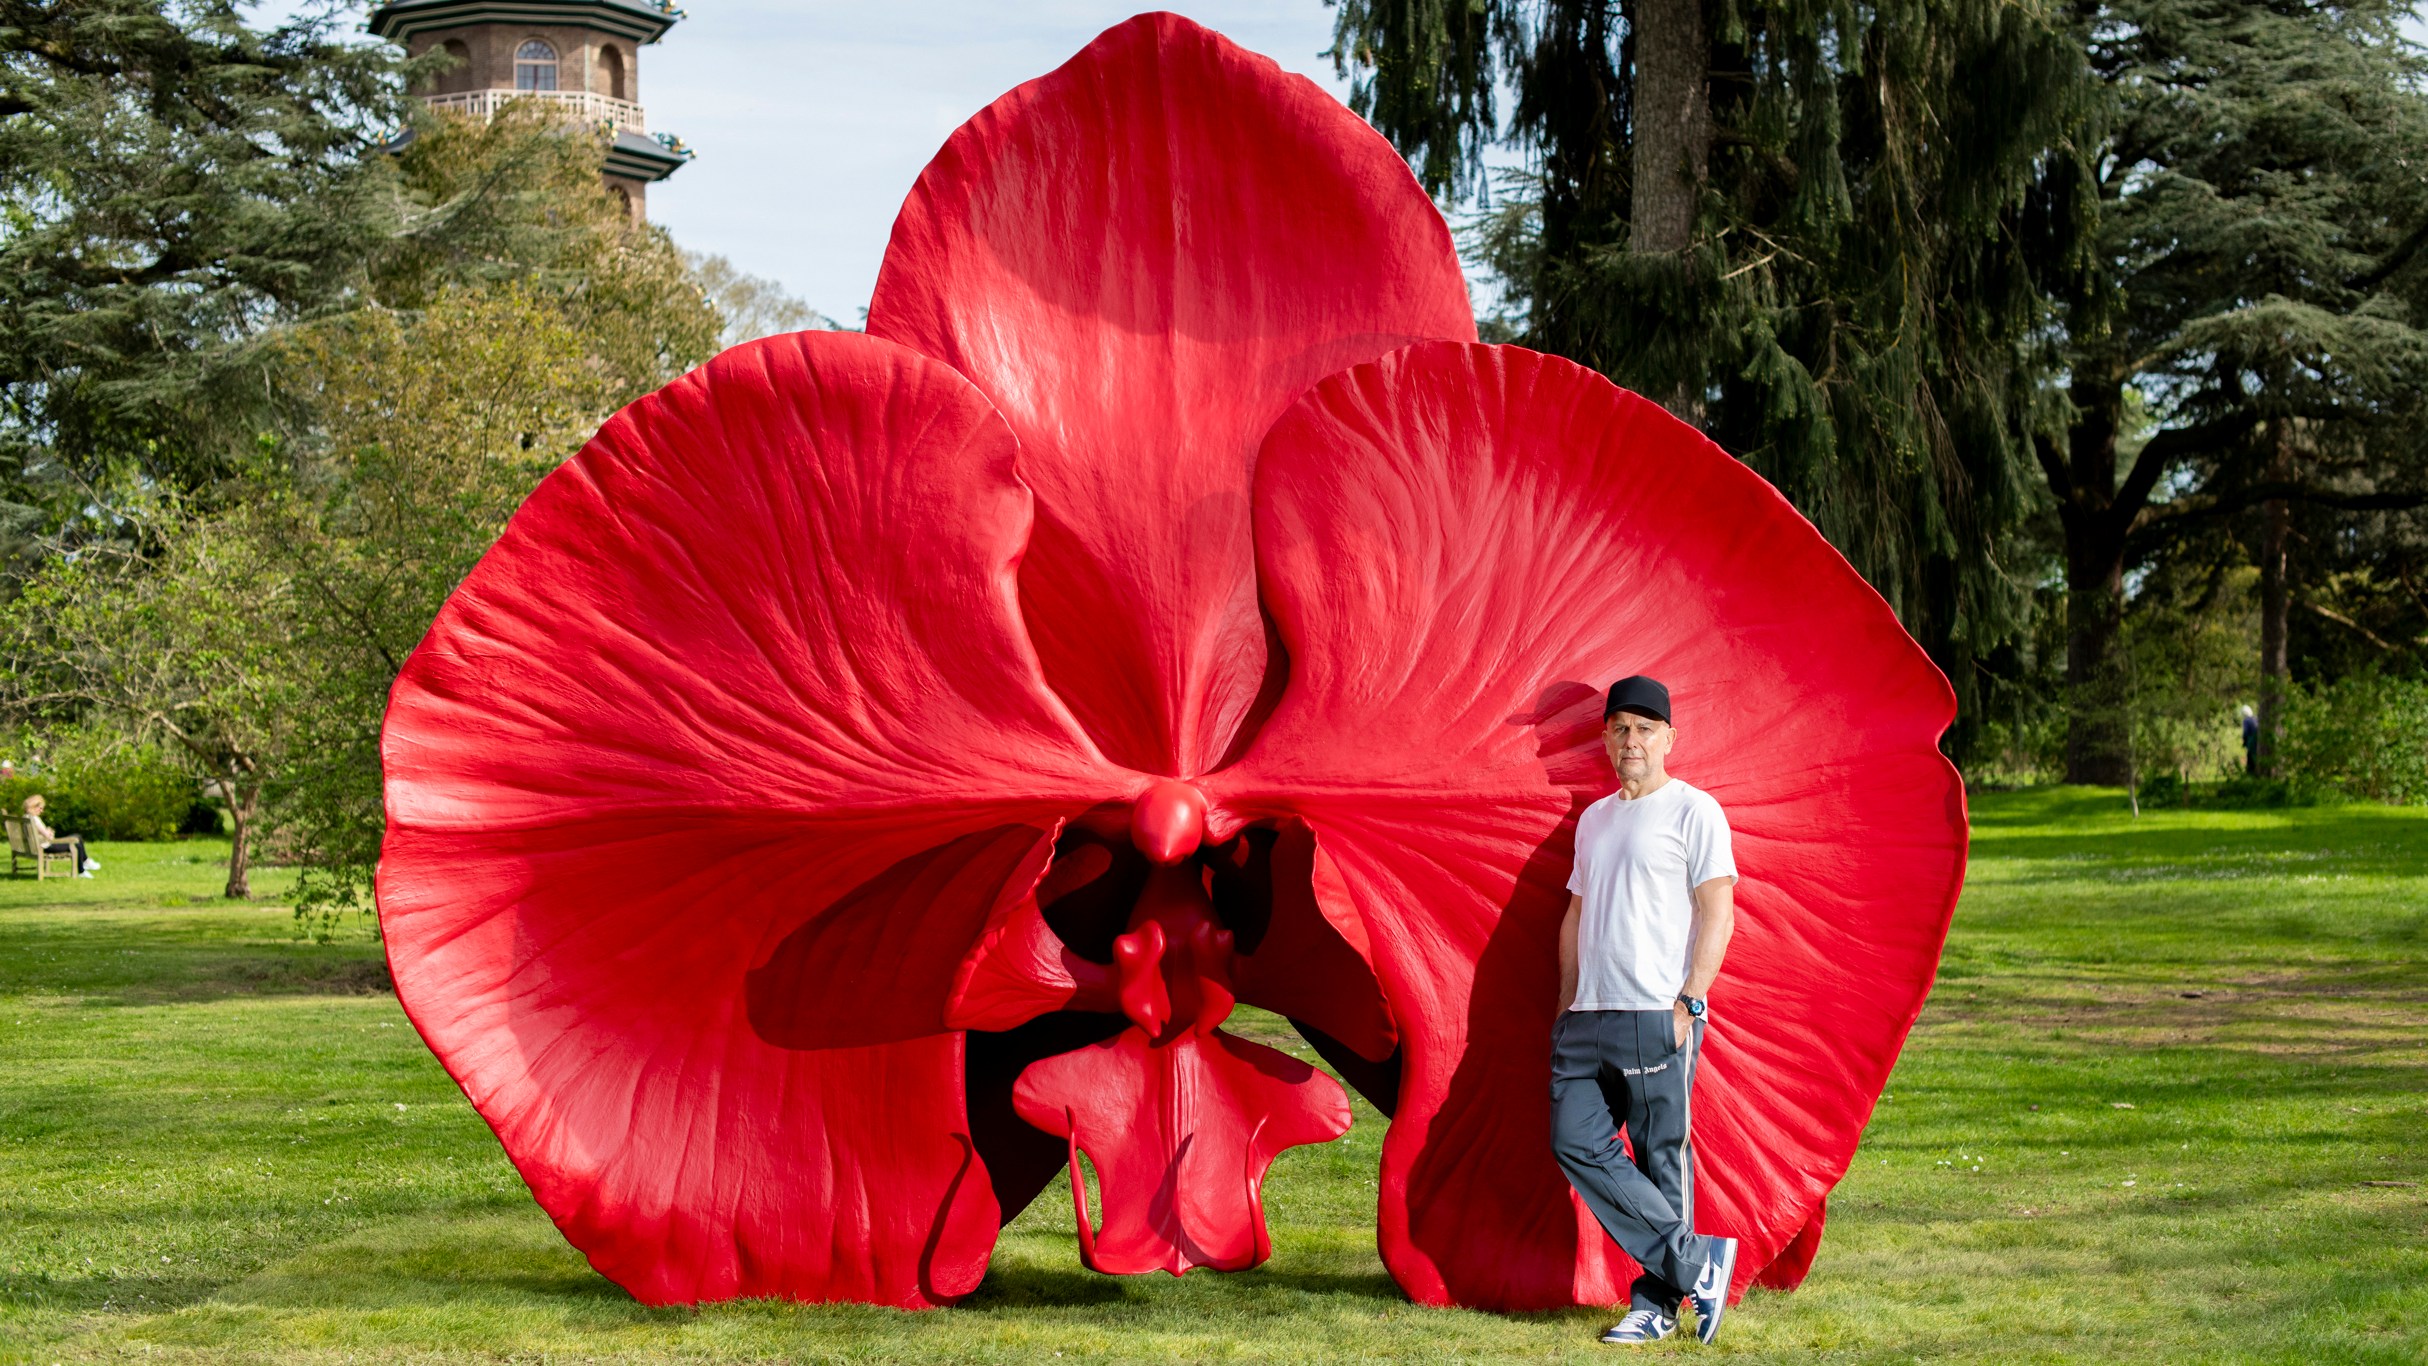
(577, 55)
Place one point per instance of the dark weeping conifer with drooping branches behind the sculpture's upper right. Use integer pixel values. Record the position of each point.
(1796, 224)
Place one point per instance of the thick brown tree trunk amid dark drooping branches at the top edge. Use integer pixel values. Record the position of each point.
(1674, 125)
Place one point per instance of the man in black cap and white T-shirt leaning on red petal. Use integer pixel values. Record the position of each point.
(1650, 916)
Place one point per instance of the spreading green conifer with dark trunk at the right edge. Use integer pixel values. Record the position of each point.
(2233, 256)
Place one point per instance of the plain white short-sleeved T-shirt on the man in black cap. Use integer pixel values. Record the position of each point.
(1638, 865)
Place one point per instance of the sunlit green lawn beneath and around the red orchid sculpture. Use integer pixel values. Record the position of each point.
(2167, 1105)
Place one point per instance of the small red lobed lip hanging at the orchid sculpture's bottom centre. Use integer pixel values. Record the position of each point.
(1181, 1137)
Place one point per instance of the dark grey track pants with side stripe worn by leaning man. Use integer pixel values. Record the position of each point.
(1623, 1069)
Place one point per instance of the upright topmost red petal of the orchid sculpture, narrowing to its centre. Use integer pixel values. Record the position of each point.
(1142, 258)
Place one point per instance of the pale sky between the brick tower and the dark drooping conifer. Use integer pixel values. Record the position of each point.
(812, 118)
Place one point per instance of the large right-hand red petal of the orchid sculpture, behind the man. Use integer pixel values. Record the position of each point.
(1463, 547)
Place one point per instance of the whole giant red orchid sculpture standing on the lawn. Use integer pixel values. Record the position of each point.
(870, 773)
